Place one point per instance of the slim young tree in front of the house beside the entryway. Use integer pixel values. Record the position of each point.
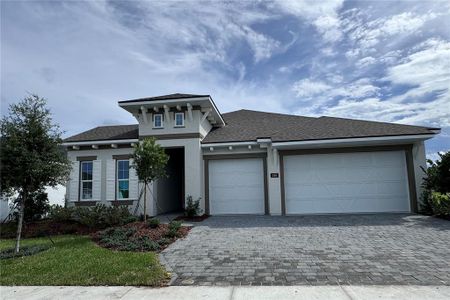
(150, 161)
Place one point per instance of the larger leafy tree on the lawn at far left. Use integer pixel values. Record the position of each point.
(31, 153)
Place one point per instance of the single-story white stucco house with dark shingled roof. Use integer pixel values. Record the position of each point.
(250, 162)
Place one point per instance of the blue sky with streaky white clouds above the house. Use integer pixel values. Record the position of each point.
(383, 61)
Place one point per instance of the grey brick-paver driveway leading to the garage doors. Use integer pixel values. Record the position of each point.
(350, 249)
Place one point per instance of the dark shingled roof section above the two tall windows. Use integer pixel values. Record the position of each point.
(118, 132)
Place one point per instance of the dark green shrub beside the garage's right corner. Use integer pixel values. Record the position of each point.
(436, 185)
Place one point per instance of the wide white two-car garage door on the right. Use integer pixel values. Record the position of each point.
(346, 183)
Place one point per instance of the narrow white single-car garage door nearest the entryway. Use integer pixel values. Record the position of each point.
(236, 186)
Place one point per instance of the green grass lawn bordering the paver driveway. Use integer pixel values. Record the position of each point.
(76, 260)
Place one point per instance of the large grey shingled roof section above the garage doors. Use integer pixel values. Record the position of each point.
(247, 125)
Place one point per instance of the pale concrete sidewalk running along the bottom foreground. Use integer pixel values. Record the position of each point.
(235, 293)
